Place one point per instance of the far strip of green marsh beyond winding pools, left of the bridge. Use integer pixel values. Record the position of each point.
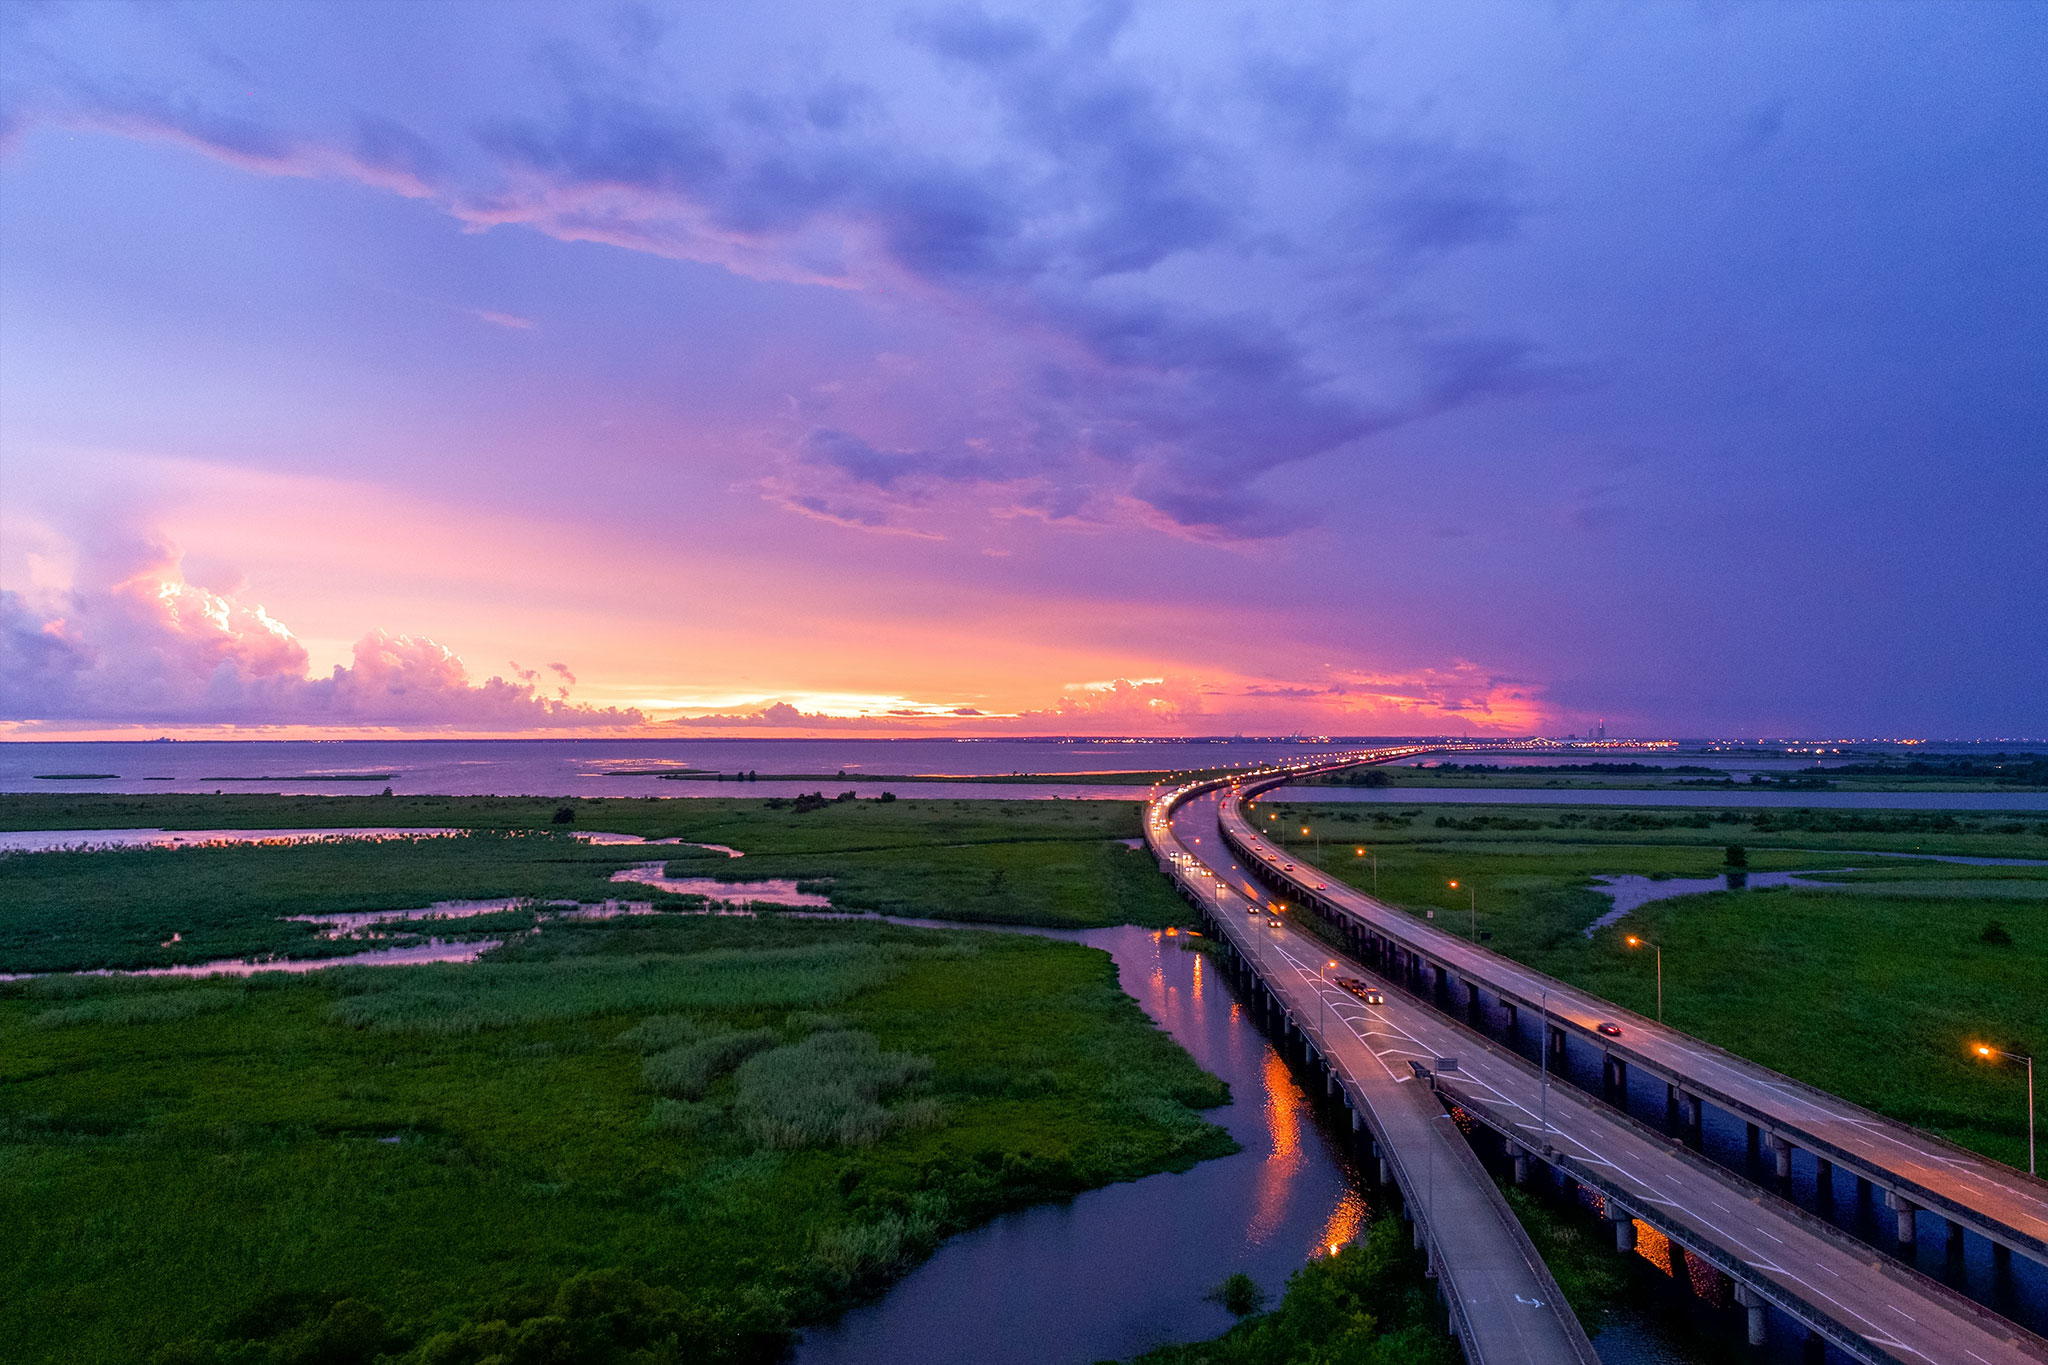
(976, 861)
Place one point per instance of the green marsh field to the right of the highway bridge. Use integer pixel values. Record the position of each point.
(1873, 987)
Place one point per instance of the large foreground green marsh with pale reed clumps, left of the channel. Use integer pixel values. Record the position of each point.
(656, 1141)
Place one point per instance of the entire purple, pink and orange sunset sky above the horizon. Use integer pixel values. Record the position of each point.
(1146, 369)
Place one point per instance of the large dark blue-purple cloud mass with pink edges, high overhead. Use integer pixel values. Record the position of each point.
(1175, 283)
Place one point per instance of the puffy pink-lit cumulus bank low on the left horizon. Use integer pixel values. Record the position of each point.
(151, 648)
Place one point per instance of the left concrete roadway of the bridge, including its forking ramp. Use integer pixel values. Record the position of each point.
(1869, 1307)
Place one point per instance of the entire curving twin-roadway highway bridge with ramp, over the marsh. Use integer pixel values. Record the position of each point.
(1385, 1059)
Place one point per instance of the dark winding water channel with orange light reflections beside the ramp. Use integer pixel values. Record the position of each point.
(1121, 1270)
